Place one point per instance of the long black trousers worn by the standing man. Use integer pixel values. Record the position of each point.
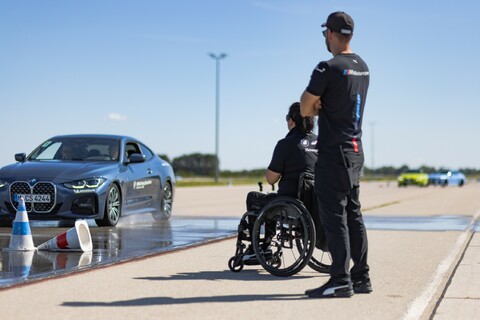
(337, 190)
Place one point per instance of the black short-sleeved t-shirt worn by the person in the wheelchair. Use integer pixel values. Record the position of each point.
(294, 154)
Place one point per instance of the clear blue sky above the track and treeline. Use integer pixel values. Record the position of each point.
(141, 68)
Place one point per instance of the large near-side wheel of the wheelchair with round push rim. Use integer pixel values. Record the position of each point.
(283, 237)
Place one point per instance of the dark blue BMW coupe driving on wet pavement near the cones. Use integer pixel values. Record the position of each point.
(101, 177)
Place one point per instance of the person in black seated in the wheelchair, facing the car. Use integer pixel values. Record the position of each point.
(293, 156)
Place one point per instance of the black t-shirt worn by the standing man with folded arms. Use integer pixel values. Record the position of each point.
(342, 83)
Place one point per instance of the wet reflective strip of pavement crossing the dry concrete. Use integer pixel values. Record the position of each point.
(141, 236)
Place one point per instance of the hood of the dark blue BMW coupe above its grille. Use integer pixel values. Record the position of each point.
(59, 171)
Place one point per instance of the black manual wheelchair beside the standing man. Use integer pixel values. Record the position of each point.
(283, 235)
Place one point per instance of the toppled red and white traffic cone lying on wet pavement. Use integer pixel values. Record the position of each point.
(75, 239)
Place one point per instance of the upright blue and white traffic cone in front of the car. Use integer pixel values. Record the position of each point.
(21, 239)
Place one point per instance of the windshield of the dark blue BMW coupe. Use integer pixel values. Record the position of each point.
(77, 149)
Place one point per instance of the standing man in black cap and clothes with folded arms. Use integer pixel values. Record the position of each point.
(336, 93)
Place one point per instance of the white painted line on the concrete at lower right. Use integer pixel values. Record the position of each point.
(418, 306)
